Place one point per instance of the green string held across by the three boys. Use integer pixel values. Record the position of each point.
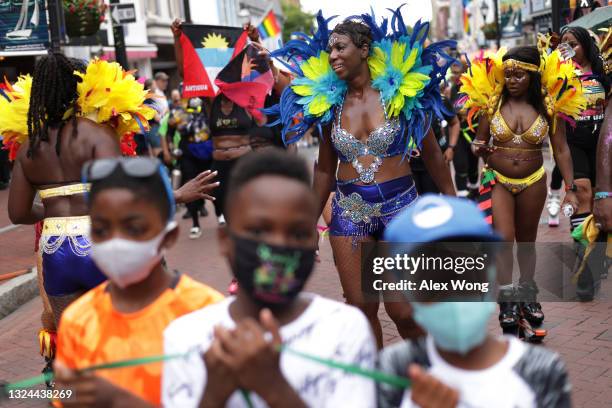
(378, 376)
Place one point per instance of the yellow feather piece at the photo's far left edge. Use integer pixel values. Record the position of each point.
(14, 105)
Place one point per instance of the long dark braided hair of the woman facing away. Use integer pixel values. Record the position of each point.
(54, 91)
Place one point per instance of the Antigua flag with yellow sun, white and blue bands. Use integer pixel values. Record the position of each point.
(206, 50)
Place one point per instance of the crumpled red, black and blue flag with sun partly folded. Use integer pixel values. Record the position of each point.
(247, 79)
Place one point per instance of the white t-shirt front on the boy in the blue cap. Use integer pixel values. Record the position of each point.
(498, 386)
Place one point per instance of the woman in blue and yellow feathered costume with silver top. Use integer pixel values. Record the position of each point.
(373, 89)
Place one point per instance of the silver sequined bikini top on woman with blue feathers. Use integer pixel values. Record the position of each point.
(384, 141)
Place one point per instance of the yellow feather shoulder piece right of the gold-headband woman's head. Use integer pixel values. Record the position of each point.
(563, 91)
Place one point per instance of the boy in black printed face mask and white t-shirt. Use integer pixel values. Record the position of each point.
(269, 243)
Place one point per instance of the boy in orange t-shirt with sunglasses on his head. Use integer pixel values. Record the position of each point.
(132, 210)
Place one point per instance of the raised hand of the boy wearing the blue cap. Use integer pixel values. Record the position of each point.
(428, 392)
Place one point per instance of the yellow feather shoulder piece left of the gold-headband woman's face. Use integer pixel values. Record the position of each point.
(482, 85)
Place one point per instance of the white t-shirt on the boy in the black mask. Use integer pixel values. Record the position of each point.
(326, 329)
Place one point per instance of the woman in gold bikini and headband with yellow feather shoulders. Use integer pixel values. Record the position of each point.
(519, 96)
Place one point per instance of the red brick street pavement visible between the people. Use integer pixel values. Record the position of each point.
(580, 332)
